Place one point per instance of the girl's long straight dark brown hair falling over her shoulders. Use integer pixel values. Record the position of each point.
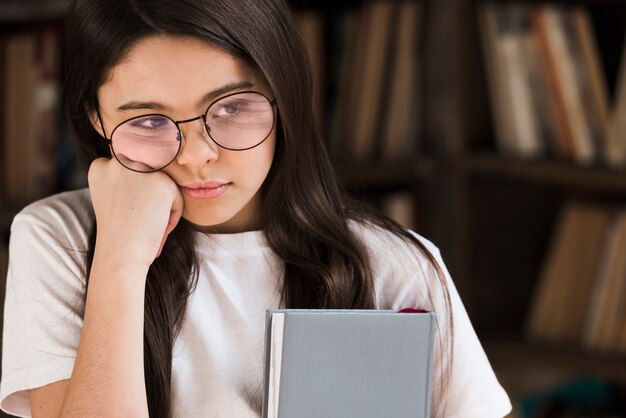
(304, 214)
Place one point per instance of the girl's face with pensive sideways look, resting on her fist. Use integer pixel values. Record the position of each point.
(180, 78)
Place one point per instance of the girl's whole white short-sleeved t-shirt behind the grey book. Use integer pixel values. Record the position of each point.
(217, 368)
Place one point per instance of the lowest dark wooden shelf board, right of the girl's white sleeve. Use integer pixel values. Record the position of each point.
(524, 368)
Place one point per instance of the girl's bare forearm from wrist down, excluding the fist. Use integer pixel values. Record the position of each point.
(108, 376)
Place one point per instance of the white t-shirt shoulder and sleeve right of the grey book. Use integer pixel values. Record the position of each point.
(405, 278)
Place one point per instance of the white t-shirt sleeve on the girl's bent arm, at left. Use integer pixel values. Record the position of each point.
(44, 302)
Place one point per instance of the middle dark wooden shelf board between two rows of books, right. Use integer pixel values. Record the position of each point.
(549, 173)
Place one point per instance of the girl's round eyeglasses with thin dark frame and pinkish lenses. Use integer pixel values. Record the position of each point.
(237, 122)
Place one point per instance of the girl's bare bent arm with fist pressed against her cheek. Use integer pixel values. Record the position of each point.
(108, 374)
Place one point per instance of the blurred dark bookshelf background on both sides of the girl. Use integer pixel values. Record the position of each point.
(495, 129)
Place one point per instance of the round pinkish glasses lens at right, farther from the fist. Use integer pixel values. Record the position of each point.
(240, 121)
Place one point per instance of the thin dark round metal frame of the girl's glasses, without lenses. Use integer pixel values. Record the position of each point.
(179, 137)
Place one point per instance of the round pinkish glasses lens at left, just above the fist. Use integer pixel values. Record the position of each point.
(147, 143)
